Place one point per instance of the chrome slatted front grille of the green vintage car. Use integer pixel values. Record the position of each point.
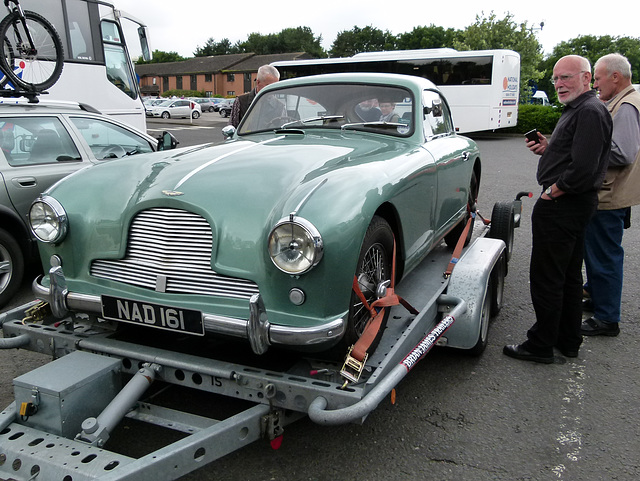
(169, 250)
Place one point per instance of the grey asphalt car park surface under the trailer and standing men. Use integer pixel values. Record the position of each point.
(464, 418)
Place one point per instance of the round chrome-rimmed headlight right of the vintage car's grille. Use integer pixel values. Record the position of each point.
(295, 246)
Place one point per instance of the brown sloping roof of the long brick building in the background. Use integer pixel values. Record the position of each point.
(243, 62)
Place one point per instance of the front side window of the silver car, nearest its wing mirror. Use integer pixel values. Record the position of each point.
(107, 140)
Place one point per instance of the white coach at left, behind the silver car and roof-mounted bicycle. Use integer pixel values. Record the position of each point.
(98, 70)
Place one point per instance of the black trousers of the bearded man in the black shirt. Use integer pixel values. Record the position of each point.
(555, 272)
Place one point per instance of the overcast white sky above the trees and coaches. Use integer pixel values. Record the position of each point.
(182, 26)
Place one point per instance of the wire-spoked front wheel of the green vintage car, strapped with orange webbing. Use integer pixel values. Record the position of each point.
(374, 268)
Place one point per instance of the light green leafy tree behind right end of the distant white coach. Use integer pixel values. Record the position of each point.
(494, 33)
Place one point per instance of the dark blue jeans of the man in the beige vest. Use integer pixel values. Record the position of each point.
(604, 259)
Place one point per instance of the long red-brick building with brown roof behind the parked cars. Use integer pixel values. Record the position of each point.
(220, 75)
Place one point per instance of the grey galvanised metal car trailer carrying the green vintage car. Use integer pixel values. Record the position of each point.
(63, 424)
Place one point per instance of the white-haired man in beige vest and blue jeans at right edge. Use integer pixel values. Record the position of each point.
(604, 254)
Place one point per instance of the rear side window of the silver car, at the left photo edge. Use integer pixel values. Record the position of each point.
(36, 140)
